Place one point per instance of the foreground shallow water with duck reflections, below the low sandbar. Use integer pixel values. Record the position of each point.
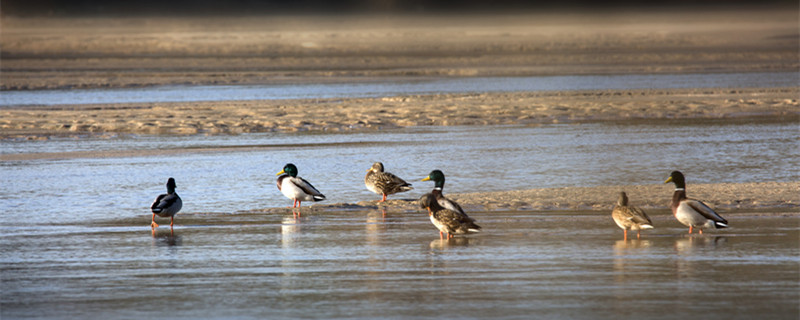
(364, 265)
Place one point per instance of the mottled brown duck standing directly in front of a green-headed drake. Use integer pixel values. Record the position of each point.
(446, 220)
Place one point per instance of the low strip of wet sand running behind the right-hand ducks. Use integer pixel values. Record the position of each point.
(724, 197)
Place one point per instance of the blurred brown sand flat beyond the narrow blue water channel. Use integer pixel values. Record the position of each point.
(115, 52)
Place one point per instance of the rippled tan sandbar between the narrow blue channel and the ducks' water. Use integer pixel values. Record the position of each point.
(516, 108)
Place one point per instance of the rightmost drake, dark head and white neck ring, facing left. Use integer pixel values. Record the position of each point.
(690, 212)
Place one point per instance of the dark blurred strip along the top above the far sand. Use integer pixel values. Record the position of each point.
(260, 7)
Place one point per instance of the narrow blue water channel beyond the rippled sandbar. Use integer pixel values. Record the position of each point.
(381, 89)
